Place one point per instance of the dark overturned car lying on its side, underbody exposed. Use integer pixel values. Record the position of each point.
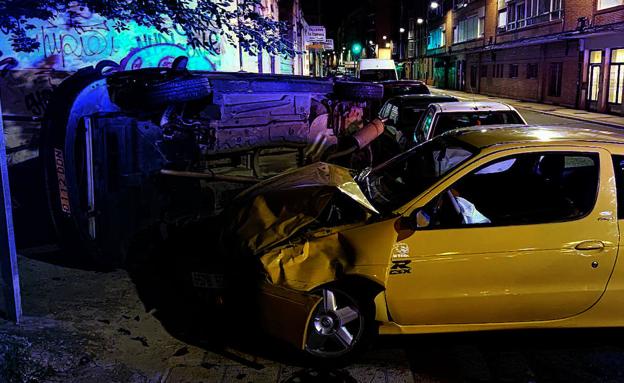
(128, 151)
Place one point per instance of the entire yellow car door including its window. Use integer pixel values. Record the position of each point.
(534, 237)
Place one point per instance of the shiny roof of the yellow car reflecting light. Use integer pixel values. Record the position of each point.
(496, 135)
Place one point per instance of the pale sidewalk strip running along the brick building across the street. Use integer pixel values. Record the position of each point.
(554, 110)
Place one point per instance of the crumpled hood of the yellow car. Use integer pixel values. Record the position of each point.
(275, 210)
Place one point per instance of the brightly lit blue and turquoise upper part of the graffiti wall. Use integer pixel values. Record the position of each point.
(72, 41)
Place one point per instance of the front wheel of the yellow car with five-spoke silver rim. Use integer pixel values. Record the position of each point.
(341, 326)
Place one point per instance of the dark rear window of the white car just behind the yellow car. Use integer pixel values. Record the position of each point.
(450, 121)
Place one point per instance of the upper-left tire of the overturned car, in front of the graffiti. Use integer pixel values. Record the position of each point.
(154, 88)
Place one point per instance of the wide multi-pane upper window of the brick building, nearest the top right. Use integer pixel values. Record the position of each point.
(522, 13)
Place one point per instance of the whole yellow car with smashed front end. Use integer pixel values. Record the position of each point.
(498, 227)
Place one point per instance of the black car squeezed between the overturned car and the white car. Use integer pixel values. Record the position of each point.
(401, 115)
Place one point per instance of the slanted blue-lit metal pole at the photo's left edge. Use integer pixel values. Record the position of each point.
(9, 276)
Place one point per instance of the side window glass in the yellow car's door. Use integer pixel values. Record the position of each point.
(524, 189)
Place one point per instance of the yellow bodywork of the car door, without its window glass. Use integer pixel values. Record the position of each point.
(489, 274)
